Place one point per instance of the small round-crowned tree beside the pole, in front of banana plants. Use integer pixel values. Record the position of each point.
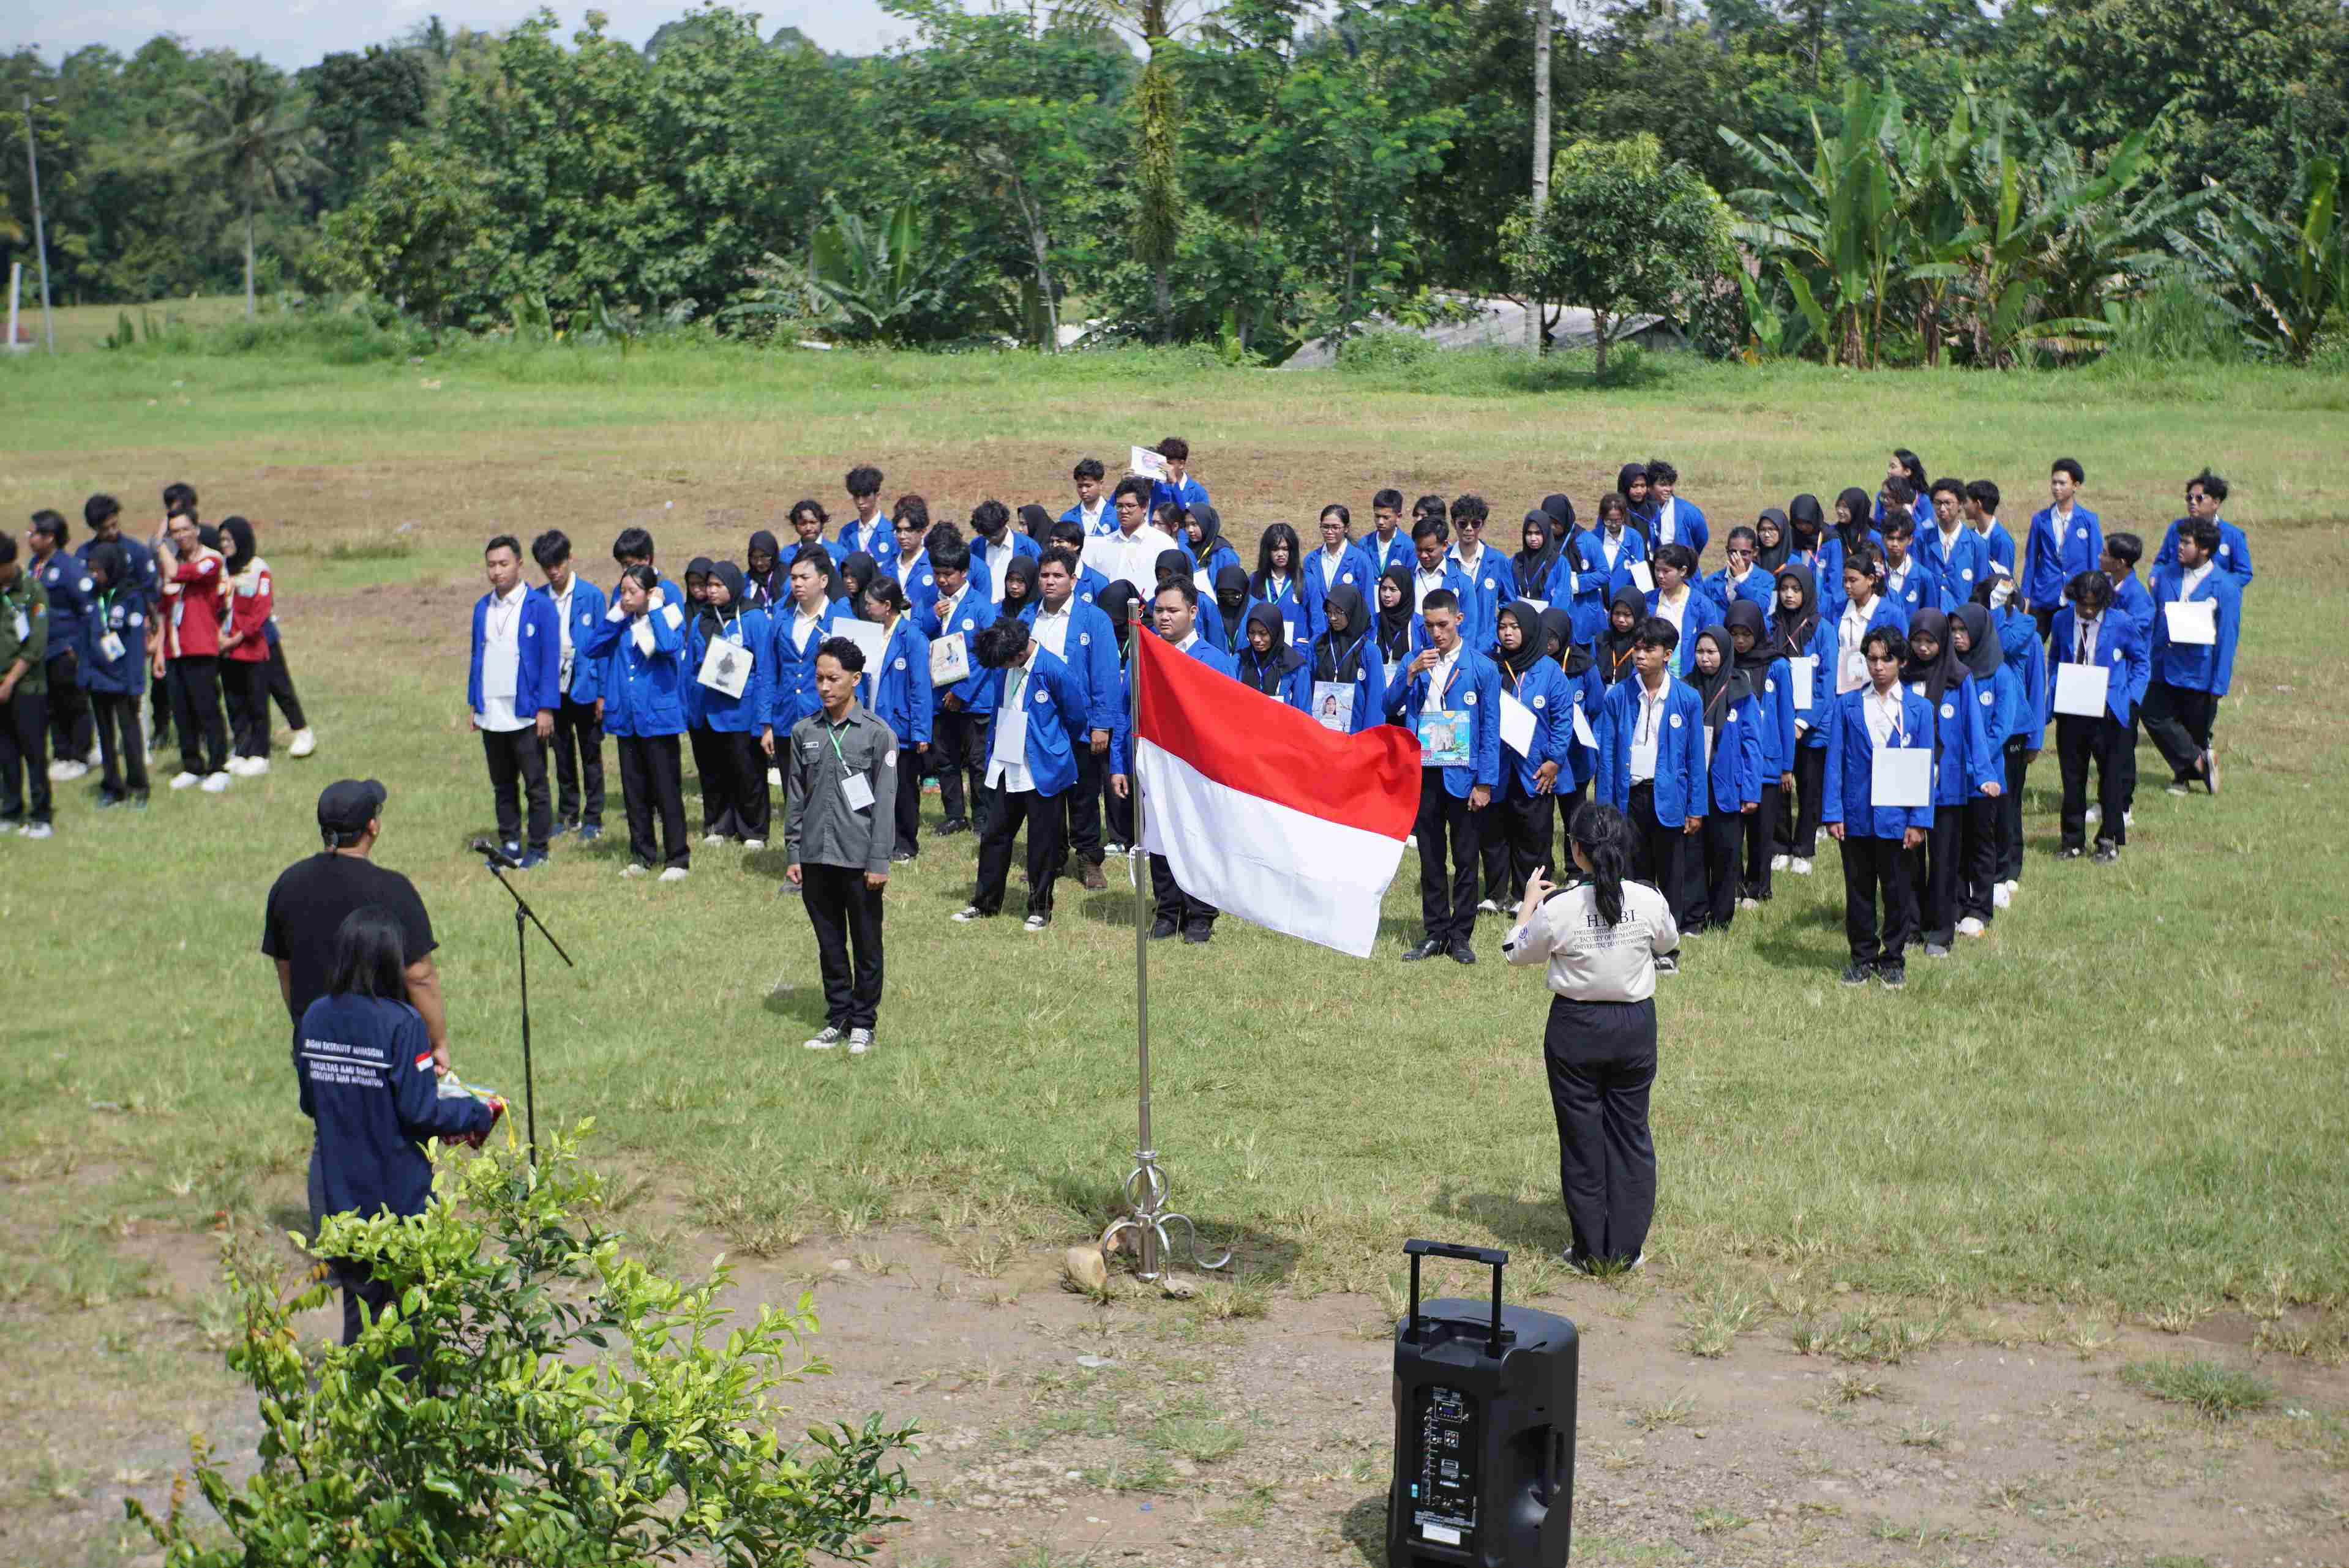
(1624, 234)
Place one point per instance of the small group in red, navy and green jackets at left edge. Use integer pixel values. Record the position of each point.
(114, 644)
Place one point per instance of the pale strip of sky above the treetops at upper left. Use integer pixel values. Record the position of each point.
(299, 32)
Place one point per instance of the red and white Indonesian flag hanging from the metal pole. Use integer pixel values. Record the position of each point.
(1265, 813)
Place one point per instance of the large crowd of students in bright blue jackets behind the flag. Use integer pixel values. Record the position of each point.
(1537, 649)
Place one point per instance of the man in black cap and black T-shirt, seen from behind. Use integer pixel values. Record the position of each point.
(311, 900)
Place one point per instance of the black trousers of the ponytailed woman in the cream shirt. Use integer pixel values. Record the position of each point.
(1603, 1065)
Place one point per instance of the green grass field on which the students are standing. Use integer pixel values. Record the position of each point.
(2132, 1095)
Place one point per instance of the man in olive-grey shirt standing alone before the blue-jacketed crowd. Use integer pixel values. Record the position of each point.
(837, 832)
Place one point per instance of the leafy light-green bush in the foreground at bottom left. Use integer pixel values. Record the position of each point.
(485, 1419)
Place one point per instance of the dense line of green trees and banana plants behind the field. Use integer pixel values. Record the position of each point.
(1869, 182)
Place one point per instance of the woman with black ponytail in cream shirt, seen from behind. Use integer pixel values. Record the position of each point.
(1603, 940)
